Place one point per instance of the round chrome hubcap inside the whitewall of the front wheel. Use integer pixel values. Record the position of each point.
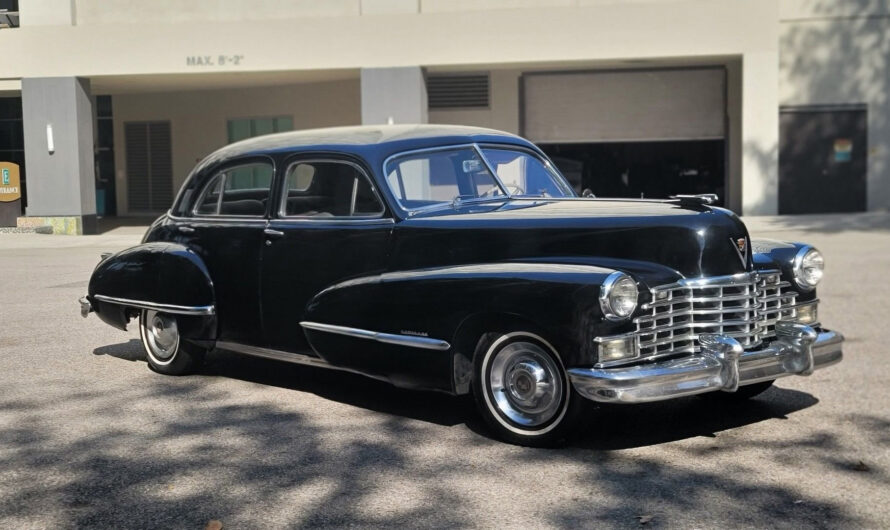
(525, 384)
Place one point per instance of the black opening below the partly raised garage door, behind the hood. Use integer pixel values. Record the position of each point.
(643, 169)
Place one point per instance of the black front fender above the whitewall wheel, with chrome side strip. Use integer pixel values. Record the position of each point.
(559, 300)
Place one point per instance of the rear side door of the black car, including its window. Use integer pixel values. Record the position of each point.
(225, 227)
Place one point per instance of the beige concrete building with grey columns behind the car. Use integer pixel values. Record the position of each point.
(778, 106)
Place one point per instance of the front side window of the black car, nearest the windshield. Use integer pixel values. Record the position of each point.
(328, 188)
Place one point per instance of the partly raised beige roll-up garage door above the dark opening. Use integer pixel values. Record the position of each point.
(624, 106)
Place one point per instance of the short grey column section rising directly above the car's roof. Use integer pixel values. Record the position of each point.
(393, 94)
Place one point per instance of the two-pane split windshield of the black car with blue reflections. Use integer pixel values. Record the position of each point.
(444, 176)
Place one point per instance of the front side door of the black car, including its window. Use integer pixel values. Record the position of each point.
(330, 225)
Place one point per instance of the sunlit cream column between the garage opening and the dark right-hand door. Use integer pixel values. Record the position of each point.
(760, 133)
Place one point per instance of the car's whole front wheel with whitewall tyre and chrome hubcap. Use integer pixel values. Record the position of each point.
(522, 390)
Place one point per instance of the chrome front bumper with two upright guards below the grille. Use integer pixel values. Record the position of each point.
(722, 365)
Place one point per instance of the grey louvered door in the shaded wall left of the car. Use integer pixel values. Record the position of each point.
(149, 166)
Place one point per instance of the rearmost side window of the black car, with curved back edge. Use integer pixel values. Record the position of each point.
(241, 191)
